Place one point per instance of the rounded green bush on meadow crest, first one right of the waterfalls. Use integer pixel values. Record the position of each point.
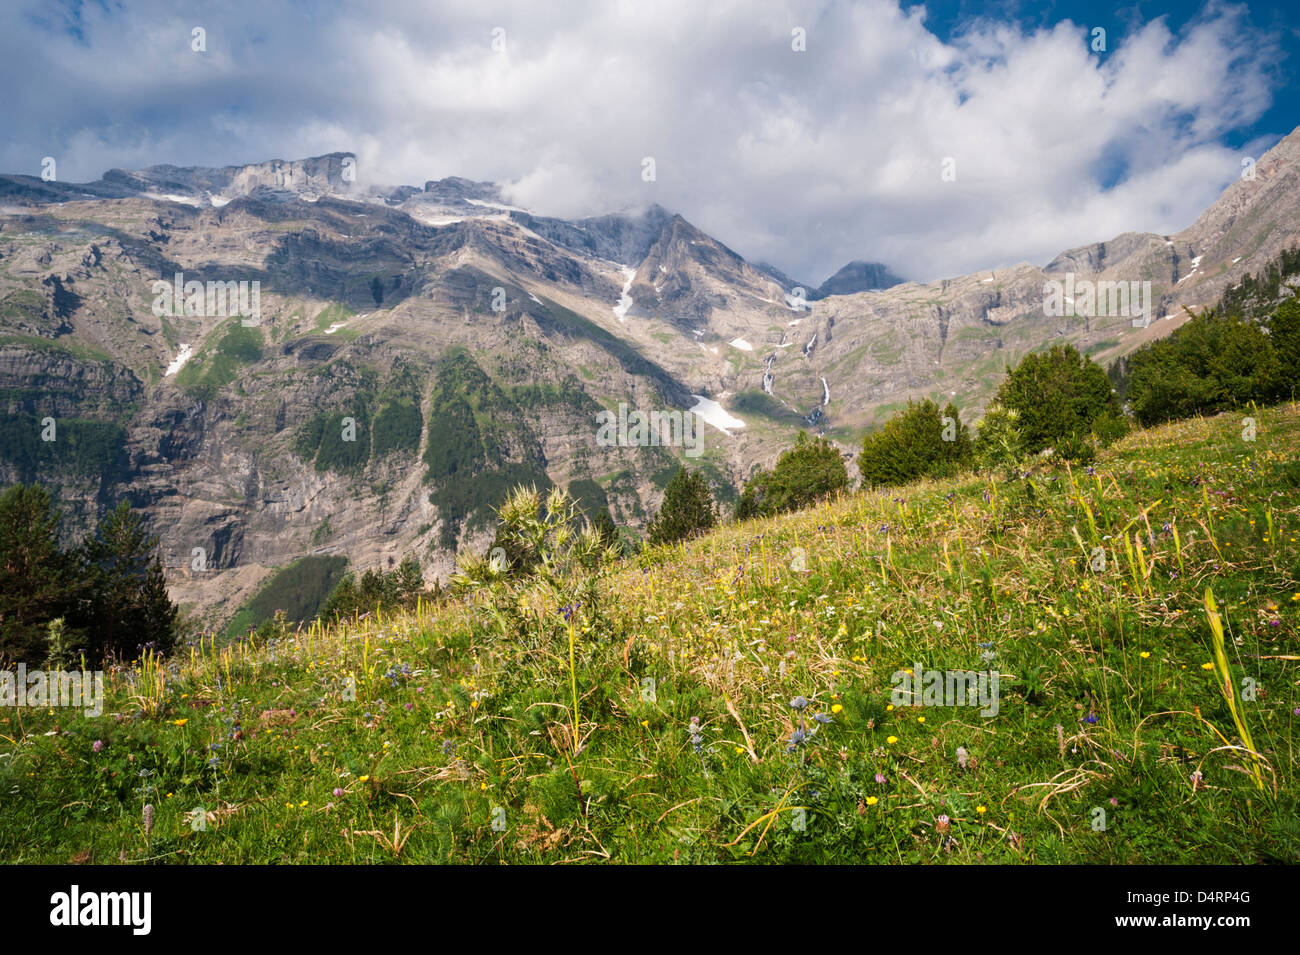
(917, 442)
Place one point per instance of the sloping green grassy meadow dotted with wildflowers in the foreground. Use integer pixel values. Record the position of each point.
(406, 737)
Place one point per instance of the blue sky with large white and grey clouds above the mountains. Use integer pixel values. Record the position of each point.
(805, 154)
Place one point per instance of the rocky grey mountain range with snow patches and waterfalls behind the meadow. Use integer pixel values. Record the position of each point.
(398, 357)
